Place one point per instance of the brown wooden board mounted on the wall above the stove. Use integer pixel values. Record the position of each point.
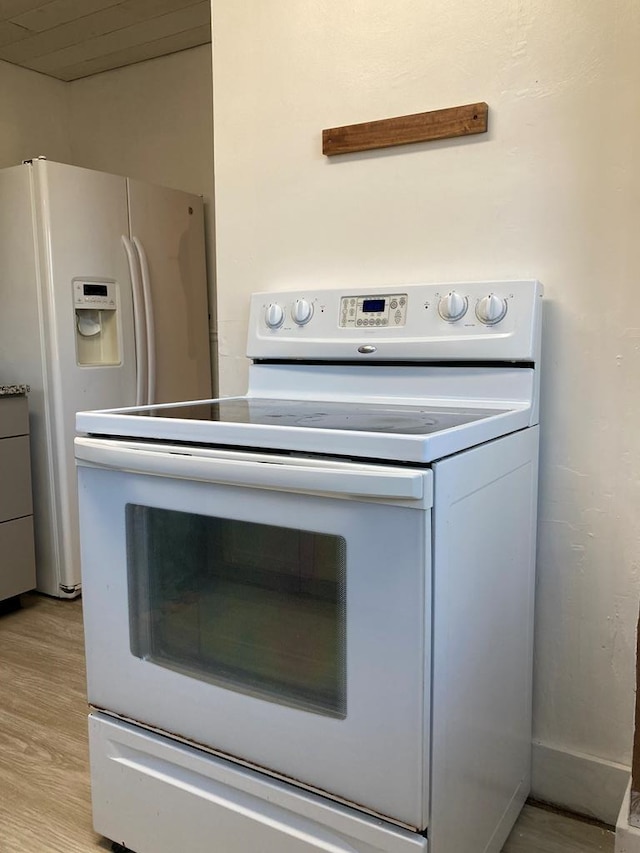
(419, 127)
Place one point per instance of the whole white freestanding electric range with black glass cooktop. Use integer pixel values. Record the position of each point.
(308, 610)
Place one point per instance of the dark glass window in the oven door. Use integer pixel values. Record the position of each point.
(251, 607)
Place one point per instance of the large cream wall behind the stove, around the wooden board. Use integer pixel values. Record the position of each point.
(552, 191)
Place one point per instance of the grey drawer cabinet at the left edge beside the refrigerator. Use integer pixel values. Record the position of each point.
(17, 558)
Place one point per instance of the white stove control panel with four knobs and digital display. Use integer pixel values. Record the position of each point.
(466, 321)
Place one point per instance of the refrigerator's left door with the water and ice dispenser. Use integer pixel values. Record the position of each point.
(81, 216)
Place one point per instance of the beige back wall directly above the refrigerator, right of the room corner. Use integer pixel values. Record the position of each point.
(151, 121)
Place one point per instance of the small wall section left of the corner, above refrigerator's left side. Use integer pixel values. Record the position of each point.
(34, 116)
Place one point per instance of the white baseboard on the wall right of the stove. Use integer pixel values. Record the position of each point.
(580, 783)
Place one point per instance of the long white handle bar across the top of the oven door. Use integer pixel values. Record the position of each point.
(327, 478)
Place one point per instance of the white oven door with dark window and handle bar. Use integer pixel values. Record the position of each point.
(272, 609)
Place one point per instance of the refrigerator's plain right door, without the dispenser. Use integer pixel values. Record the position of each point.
(167, 229)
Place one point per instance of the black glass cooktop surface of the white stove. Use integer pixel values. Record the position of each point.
(362, 417)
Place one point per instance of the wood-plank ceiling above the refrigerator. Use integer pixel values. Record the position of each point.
(69, 39)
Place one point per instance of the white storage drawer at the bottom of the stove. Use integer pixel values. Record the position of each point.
(189, 800)
